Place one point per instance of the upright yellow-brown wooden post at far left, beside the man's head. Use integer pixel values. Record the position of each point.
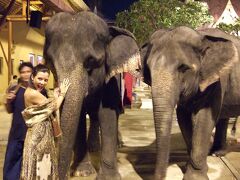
(9, 50)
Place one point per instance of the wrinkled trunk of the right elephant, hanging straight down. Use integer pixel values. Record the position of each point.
(163, 105)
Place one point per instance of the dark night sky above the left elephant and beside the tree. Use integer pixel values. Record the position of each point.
(109, 8)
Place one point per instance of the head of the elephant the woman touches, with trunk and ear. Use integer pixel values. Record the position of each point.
(83, 48)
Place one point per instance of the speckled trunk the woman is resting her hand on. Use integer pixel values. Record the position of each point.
(70, 116)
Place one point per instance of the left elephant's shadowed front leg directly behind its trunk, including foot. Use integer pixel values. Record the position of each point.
(81, 162)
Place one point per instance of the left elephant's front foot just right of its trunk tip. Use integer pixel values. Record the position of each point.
(84, 169)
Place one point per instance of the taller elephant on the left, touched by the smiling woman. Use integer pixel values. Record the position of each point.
(90, 53)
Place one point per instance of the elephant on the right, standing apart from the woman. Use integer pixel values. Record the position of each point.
(196, 72)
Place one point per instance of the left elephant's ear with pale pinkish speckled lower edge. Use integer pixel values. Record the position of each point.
(122, 53)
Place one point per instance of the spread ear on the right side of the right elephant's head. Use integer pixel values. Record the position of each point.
(218, 57)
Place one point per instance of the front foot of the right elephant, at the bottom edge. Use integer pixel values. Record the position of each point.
(195, 174)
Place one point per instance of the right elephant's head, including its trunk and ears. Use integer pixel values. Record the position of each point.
(178, 64)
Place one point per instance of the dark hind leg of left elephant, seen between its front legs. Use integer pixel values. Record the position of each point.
(93, 134)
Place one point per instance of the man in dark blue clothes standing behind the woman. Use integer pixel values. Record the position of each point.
(15, 104)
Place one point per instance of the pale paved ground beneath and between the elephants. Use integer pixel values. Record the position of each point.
(137, 158)
